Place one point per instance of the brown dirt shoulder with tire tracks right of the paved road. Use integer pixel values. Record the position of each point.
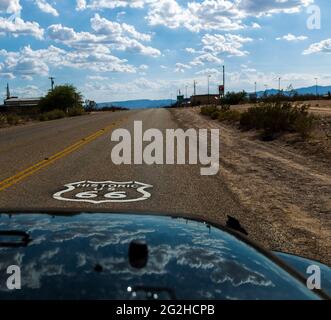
(285, 191)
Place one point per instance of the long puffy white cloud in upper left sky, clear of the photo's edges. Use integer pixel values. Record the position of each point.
(116, 36)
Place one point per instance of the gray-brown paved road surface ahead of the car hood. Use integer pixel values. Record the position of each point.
(56, 154)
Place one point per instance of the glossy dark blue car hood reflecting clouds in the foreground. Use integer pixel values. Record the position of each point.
(85, 256)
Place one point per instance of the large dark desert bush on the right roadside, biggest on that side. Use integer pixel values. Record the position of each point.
(277, 118)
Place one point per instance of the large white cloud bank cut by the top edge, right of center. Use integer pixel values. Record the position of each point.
(217, 14)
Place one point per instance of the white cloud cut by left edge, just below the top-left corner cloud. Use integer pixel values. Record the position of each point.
(19, 27)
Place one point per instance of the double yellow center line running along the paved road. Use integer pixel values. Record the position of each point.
(4, 184)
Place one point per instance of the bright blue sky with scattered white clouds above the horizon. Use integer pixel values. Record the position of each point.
(135, 49)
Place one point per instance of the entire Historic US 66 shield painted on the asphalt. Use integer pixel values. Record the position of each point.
(104, 191)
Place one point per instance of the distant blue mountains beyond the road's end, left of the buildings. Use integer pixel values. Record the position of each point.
(137, 104)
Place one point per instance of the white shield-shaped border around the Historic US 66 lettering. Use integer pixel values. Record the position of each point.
(71, 187)
